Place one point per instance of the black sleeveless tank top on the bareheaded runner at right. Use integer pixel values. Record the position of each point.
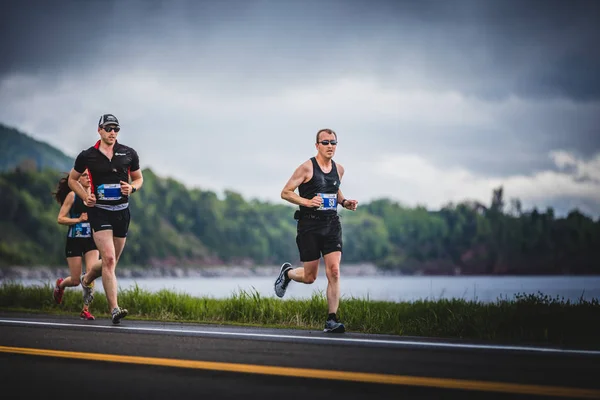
(326, 185)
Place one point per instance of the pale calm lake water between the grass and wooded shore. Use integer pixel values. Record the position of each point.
(396, 288)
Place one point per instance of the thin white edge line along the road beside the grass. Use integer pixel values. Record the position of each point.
(399, 343)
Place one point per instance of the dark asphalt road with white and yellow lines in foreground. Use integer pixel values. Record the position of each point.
(64, 357)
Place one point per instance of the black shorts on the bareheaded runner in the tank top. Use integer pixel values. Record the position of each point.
(318, 237)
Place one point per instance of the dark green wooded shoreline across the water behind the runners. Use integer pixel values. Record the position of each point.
(175, 225)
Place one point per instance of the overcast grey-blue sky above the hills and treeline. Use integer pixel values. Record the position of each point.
(433, 101)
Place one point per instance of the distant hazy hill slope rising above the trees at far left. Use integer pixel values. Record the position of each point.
(20, 150)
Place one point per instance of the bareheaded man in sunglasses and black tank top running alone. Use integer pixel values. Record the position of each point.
(319, 230)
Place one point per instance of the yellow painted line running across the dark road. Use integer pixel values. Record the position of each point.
(442, 383)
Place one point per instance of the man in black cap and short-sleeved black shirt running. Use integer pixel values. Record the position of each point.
(110, 165)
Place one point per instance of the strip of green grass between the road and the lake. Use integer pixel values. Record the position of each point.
(530, 319)
